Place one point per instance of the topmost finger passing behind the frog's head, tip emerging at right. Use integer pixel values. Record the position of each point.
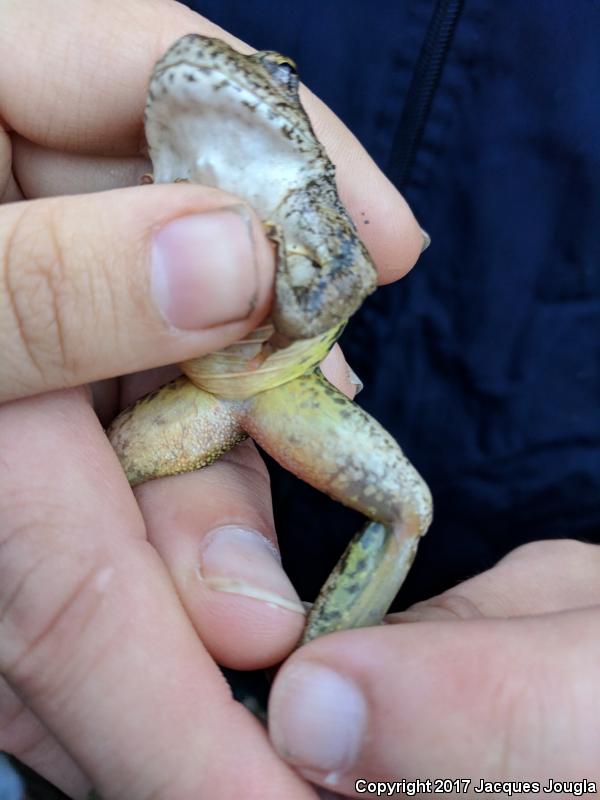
(106, 118)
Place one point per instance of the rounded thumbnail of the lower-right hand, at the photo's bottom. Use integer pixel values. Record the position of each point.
(317, 717)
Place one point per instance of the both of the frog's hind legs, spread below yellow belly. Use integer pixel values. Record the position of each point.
(321, 436)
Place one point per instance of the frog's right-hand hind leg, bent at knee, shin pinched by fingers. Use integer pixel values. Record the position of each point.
(313, 430)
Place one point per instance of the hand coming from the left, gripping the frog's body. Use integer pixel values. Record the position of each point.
(108, 632)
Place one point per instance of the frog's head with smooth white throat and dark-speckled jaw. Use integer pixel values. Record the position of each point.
(221, 118)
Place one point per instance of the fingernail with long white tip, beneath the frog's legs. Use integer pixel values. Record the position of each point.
(239, 561)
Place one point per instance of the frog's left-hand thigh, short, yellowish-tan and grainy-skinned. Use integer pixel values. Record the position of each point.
(177, 429)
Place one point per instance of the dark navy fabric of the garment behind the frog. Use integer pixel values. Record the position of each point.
(484, 362)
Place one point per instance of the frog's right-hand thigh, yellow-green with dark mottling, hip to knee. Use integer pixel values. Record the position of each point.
(313, 430)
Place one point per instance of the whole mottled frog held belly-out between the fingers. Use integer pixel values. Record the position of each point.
(220, 118)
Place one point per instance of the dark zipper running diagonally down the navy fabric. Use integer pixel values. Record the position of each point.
(424, 82)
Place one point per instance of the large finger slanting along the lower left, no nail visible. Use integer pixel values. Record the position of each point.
(92, 635)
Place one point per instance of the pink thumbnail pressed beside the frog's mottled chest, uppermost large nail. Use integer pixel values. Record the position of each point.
(203, 269)
